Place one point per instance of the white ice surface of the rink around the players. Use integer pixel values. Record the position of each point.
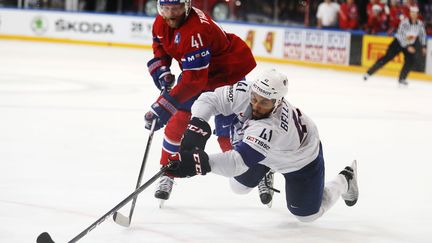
(72, 140)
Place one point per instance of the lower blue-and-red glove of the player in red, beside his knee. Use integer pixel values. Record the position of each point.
(162, 110)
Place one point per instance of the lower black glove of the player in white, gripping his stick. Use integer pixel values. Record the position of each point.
(189, 163)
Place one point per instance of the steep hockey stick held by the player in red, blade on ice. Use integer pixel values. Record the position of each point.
(117, 216)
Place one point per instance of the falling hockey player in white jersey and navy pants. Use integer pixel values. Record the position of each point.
(268, 134)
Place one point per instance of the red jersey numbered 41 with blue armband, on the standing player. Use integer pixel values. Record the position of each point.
(208, 56)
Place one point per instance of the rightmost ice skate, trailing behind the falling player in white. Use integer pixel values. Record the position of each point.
(351, 195)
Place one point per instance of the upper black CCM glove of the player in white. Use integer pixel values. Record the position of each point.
(196, 135)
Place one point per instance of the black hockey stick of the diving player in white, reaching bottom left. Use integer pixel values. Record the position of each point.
(46, 238)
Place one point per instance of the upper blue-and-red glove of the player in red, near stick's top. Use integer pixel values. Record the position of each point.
(160, 72)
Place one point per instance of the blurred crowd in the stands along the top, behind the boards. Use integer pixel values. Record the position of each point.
(371, 16)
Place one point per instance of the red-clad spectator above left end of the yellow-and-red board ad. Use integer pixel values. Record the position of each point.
(377, 18)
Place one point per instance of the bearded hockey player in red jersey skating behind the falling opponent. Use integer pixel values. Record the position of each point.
(208, 57)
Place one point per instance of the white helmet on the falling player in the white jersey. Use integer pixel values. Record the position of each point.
(271, 85)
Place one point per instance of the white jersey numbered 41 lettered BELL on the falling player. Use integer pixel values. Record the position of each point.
(286, 141)
